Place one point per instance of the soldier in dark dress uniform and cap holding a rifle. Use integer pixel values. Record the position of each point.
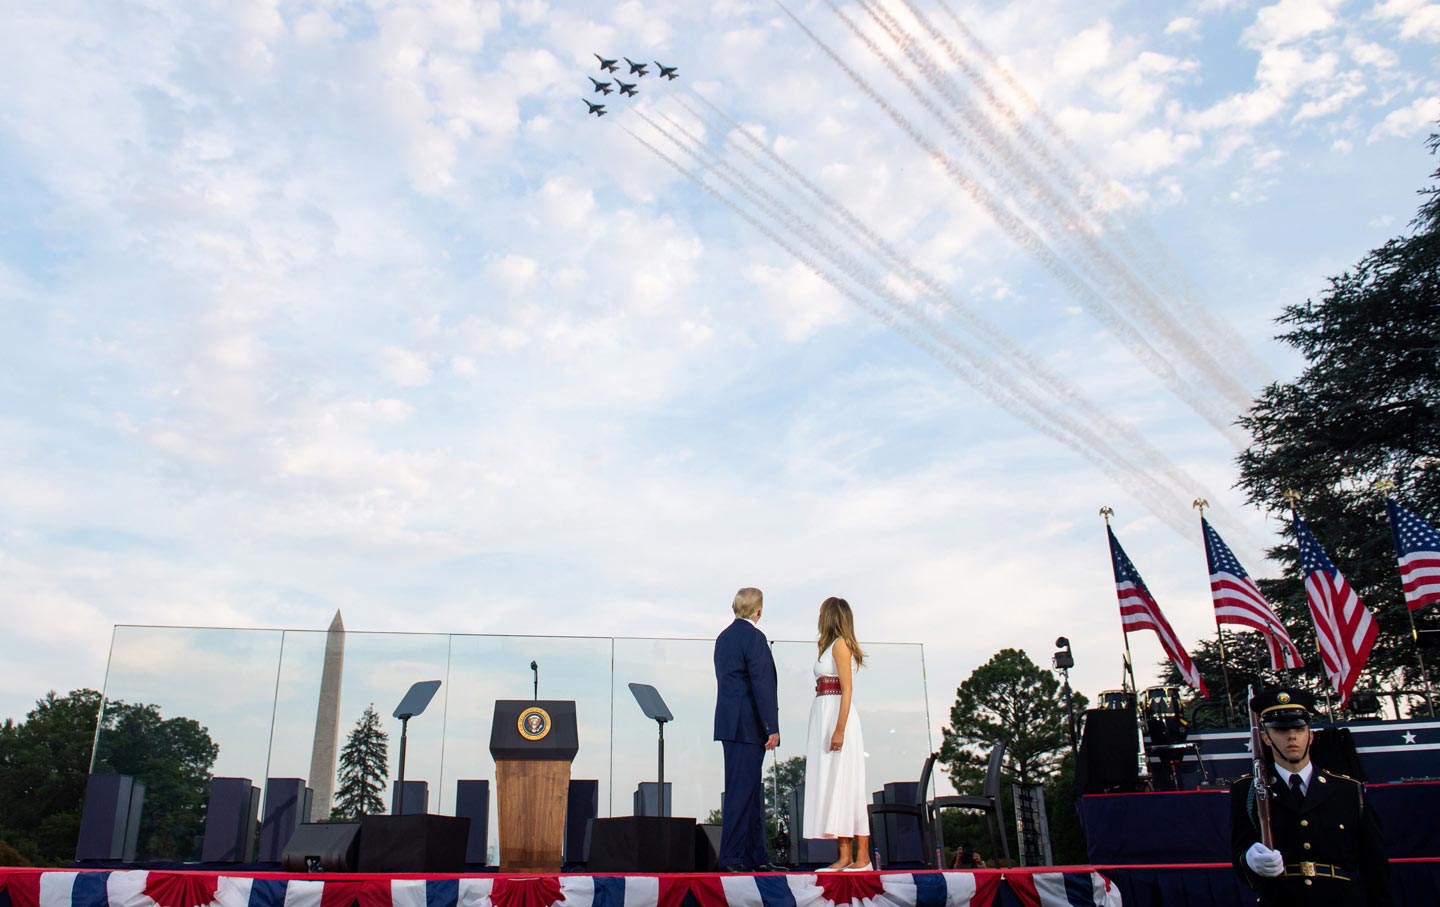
(1328, 849)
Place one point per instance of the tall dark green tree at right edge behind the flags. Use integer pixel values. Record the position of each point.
(1366, 410)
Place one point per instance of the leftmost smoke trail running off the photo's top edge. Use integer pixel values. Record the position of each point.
(1022, 234)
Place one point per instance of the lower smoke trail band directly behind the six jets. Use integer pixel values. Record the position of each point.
(1036, 411)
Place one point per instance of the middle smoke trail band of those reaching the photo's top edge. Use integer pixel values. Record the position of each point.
(1053, 212)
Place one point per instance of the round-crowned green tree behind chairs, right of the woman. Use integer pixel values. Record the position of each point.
(1007, 700)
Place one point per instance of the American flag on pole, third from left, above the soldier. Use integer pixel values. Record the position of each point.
(1344, 627)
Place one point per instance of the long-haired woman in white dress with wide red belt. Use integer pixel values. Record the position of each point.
(836, 791)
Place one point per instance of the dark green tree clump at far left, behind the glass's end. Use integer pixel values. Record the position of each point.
(45, 761)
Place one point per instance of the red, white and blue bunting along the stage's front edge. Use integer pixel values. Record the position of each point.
(1040, 888)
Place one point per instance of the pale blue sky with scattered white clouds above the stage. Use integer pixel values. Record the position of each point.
(349, 306)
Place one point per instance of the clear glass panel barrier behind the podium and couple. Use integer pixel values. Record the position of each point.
(253, 695)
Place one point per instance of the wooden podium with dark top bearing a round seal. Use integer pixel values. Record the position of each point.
(534, 744)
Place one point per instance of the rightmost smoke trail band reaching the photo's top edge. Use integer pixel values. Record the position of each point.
(1153, 257)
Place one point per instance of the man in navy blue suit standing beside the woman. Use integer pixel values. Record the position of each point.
(748, 722)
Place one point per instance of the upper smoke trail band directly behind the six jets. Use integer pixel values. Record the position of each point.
(1055, 398)
